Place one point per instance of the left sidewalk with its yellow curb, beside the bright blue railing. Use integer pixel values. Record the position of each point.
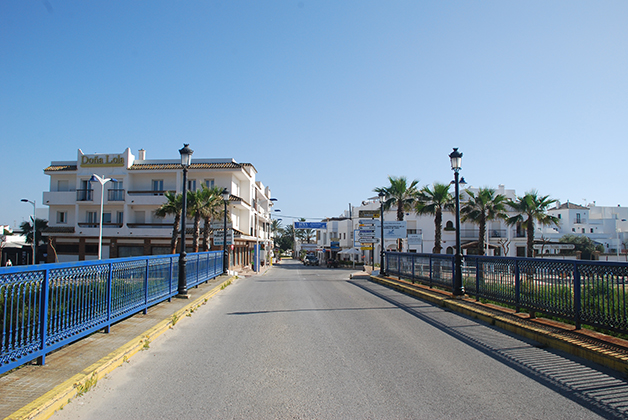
(38, 391)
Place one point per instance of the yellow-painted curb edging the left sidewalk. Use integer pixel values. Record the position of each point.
(55, 399)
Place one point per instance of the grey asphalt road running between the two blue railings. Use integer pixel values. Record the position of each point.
(309, 343)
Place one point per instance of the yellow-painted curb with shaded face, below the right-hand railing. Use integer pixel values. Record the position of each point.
(572, 346)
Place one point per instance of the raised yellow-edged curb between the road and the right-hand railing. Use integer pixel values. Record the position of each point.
(566, 340)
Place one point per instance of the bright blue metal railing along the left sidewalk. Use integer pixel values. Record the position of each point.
(47, 306)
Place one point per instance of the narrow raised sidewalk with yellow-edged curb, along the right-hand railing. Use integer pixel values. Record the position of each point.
(600, 348)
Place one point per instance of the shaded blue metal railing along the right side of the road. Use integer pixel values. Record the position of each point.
(585, 292)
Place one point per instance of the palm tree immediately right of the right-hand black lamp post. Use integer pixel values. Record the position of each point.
(481, 208)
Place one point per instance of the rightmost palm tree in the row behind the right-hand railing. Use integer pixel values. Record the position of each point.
(531, 208)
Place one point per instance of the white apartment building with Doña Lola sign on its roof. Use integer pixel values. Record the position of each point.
(130, 225)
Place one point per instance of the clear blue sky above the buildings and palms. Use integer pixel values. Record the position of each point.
(325, 98)
